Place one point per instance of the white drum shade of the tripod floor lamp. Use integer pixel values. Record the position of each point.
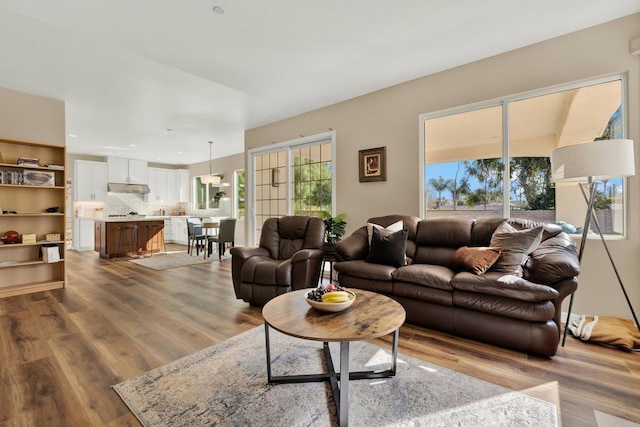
(600, 160)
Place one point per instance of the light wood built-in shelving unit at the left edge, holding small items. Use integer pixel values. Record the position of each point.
(26, 191)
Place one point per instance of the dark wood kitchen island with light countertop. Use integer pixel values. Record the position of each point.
(146, 238)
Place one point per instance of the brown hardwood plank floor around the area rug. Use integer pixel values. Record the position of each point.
(61, 351)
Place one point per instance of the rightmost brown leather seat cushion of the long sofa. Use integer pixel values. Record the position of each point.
(504, 285)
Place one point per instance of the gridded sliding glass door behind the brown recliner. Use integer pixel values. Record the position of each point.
(292, 178)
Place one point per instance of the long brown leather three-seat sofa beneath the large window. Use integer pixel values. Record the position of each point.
(521, 313)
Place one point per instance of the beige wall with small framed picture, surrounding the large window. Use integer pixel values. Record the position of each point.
(389, 117)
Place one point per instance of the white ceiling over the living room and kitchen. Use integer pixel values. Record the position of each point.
(128, 70)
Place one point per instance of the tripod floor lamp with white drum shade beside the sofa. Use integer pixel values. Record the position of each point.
(590, 164)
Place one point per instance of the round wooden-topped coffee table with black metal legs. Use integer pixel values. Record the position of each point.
(370, 316)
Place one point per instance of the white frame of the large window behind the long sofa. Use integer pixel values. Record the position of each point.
(504, 102)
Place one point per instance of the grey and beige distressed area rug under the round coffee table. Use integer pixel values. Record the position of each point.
(225, 385)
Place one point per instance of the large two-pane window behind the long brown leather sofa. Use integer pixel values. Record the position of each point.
(492, 159)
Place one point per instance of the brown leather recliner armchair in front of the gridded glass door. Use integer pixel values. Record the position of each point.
(289, 258)
